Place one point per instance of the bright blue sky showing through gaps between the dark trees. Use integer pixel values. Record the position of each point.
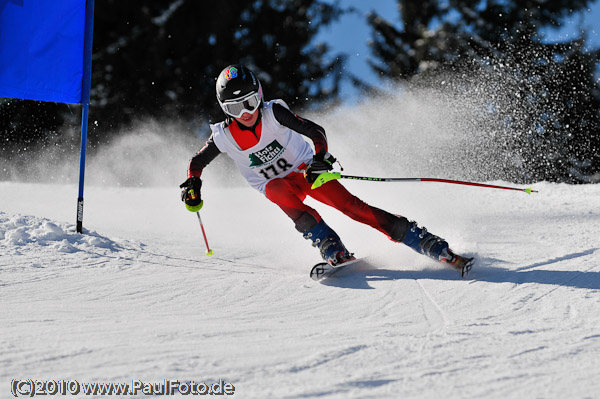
(351, 34)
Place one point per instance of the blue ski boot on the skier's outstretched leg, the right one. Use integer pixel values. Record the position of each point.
(436, 248)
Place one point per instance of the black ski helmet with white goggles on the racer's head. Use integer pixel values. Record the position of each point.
(238, 90)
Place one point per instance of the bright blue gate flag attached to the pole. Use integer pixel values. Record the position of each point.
(42, 50)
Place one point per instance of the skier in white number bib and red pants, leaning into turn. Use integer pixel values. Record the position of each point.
(266, 142)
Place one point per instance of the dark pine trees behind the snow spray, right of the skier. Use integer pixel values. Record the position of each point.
(553, 114)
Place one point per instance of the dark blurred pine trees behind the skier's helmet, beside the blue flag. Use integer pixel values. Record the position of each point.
(165, 59)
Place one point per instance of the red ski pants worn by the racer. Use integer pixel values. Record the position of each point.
(289, 193)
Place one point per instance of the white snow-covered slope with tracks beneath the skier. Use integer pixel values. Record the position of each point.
(135, 297)
